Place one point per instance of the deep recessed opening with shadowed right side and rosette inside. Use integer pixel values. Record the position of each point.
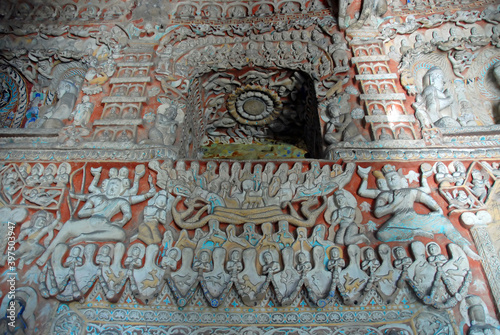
(259, 113)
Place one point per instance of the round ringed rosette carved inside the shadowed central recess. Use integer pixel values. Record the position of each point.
(254, 105)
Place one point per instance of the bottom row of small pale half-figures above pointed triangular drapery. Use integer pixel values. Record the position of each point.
(250, 271)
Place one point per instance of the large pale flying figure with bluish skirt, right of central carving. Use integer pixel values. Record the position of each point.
(405, 224)
